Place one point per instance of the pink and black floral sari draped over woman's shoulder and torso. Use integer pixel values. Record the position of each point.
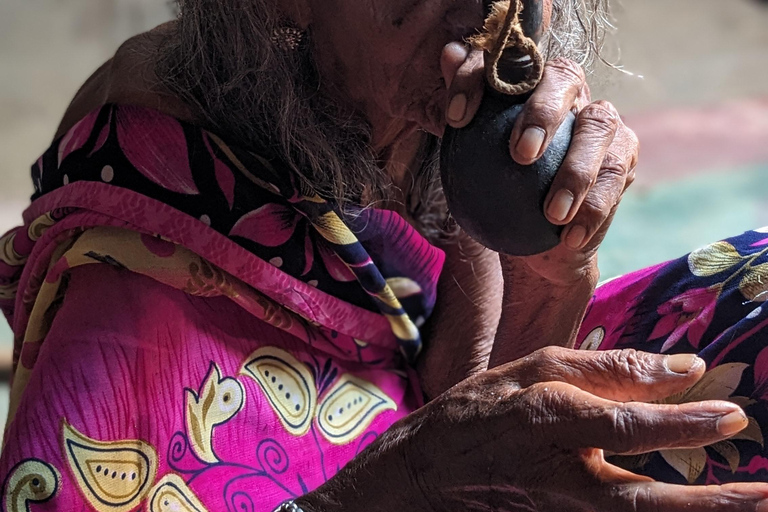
(194, 330)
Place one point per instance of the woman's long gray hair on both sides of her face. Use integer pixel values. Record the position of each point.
(222, 61)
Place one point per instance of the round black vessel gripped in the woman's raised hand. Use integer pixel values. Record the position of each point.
(495, 200)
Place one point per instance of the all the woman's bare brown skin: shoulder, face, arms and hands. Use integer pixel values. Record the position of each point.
(528, 434)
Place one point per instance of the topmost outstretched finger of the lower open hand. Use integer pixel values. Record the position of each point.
(621, 375)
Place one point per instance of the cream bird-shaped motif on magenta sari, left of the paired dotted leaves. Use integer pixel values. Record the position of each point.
(219, 400)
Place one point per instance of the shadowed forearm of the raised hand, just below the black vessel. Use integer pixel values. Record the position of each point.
(537, 312)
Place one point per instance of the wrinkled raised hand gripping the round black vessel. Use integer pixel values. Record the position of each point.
(597, 170)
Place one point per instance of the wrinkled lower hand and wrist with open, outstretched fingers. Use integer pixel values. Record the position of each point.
(530, 435)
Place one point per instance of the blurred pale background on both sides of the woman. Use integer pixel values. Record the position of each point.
(701, 111)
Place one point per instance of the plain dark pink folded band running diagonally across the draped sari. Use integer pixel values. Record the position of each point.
(156, 218)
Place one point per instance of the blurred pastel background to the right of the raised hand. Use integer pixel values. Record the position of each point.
(701, 113)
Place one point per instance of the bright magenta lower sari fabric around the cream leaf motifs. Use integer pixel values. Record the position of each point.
(121, 361)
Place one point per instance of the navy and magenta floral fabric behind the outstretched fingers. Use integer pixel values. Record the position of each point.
(711, 302)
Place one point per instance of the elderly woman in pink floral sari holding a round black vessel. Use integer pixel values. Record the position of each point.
(237, 248)
